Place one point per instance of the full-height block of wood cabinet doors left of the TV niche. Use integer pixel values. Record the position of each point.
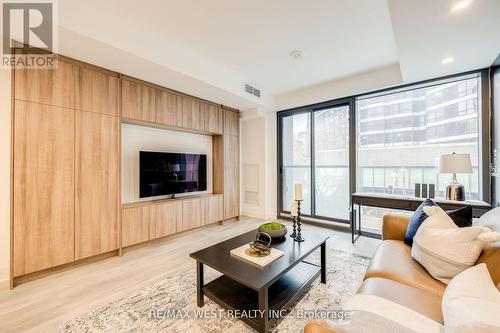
(66, 165)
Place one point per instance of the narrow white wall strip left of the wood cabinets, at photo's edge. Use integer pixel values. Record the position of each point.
(5, 144)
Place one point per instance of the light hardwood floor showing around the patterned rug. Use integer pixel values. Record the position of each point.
(43, 305)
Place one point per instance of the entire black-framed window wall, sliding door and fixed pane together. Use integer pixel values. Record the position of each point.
(381, 142)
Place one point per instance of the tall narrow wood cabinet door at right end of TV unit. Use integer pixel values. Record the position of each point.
(231, 176)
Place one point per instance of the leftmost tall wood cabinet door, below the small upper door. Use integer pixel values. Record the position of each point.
(43, 187)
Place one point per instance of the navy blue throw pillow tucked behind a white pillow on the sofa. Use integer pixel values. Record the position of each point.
(462, 217)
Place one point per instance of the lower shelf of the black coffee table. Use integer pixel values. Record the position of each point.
(282, 294)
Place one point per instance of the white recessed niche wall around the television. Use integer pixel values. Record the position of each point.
(136, 138)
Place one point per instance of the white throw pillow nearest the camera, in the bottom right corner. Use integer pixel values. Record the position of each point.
(471, 303)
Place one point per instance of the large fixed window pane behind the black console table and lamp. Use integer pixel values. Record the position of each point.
(401, 134)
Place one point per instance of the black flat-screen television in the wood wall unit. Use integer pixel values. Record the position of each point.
(171, 173)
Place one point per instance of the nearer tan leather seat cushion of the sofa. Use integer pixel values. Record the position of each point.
(418, 300)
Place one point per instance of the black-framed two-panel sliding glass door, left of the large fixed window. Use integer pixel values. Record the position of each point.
(315, 152)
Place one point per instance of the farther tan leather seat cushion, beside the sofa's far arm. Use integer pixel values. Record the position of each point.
(392, 260)
